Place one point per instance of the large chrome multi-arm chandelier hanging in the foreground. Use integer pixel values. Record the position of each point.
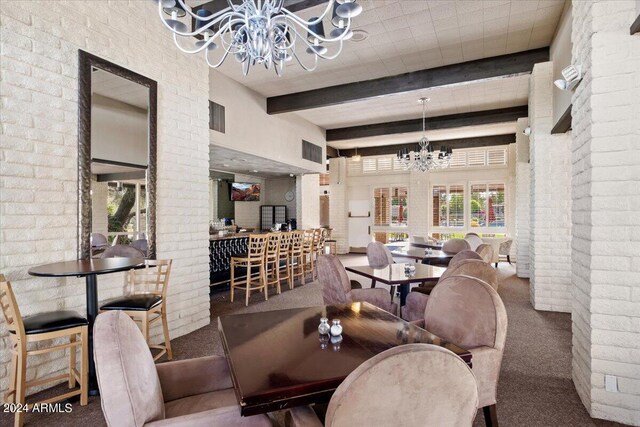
(260, 32)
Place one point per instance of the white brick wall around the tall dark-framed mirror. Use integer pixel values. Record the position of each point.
(38, 187)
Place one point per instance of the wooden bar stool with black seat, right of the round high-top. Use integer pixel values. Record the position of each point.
(146, 302)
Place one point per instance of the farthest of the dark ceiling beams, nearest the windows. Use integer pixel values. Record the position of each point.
(479, 141)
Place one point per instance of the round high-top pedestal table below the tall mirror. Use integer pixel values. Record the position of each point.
(89, 269)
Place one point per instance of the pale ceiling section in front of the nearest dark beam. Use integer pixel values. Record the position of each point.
(410, 35)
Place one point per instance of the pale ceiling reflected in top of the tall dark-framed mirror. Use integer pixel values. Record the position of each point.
(118, 88)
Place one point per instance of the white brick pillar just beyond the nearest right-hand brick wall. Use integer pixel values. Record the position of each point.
(550, 206)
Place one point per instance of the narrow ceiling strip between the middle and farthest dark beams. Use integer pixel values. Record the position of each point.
(434, 136)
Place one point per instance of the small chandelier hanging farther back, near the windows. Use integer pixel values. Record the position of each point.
(425, 158)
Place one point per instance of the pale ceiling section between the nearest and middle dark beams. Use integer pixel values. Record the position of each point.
(463, 98)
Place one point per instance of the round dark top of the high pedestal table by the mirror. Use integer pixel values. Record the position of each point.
(85, 267)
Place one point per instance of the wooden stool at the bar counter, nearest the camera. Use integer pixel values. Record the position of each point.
(254, 258)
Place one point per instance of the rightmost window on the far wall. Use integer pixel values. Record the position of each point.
(487, 205)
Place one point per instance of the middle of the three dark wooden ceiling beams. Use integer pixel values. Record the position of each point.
(433, 123)
